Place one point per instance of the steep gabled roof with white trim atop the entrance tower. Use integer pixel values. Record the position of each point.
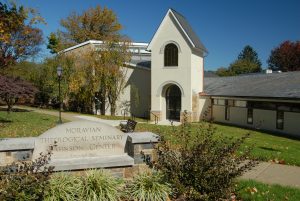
(185, 27)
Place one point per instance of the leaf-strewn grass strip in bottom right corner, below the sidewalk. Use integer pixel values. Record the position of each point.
(252, 190)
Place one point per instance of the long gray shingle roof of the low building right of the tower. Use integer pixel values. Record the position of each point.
(274, 85)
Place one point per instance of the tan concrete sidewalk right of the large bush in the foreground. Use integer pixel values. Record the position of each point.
(271, 173)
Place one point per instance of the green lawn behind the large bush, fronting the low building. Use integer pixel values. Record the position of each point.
(265, 146)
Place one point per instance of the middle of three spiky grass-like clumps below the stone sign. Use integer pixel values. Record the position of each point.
(99, 185)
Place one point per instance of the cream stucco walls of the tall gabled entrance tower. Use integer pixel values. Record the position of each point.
(188, 74)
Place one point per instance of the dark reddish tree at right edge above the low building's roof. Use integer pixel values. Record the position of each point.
(286, 57)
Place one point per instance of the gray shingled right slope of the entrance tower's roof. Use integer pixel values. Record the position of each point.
(189, 31)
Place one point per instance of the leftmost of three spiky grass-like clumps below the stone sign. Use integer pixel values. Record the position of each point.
(63, 186)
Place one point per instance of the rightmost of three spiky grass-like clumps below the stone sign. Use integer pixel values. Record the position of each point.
(148, 186)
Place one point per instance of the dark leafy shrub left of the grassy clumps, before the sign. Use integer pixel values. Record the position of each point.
(25, 181)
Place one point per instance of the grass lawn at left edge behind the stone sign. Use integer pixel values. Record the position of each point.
(24, 123)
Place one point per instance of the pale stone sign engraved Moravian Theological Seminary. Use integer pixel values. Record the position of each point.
(83, 142)
